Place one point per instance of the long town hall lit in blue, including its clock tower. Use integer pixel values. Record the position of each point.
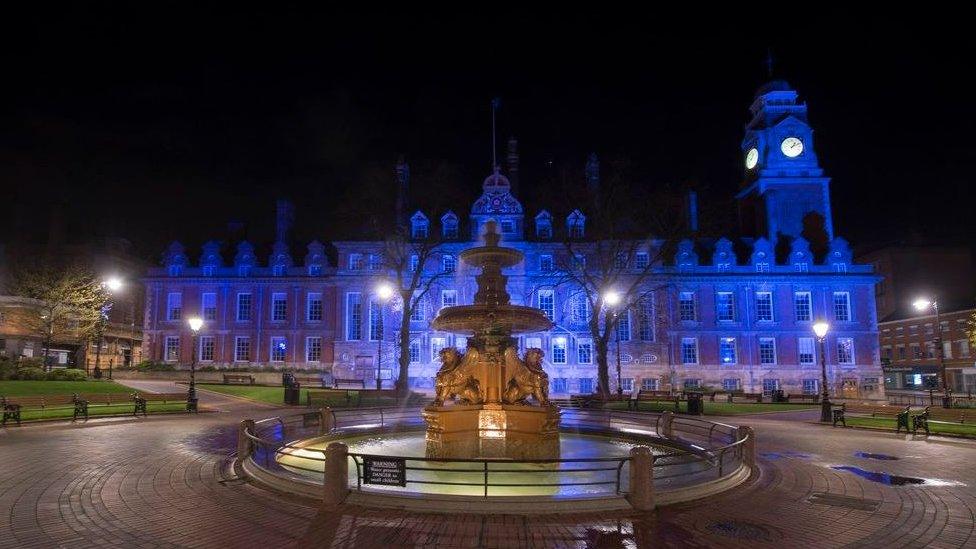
(718, 314)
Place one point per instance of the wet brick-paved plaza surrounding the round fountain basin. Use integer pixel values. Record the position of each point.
(161, 482)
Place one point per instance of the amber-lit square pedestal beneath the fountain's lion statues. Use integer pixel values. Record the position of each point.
(492, 430)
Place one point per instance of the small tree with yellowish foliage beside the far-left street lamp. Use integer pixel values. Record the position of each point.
(70, 303)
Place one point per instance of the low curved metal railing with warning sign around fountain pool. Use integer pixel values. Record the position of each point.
(708, 451)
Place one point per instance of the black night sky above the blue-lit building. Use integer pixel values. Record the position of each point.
(156, 126)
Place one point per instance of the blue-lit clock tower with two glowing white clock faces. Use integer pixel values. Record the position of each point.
(784, 192)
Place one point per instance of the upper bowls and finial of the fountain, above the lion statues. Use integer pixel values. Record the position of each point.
(491, 312)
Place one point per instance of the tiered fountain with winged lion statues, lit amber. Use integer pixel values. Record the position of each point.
(490, 402)
